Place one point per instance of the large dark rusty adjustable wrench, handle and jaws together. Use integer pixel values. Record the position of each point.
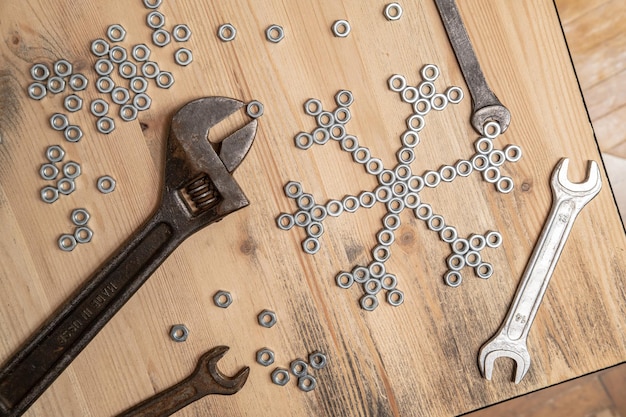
(198, 189)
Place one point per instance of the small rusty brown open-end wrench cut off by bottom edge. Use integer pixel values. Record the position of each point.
(206, 379)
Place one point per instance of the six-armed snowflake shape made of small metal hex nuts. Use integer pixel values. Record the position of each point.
(399, 188)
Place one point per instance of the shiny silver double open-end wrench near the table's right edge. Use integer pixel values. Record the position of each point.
(567, 201)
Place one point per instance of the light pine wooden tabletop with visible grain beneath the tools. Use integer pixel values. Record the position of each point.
(416, 359)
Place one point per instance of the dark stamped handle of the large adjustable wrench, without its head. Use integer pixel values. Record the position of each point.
(41, 360)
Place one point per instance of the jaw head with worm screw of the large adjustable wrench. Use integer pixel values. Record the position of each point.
(198, 185)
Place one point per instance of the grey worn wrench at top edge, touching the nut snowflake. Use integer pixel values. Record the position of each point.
(485, 105)
